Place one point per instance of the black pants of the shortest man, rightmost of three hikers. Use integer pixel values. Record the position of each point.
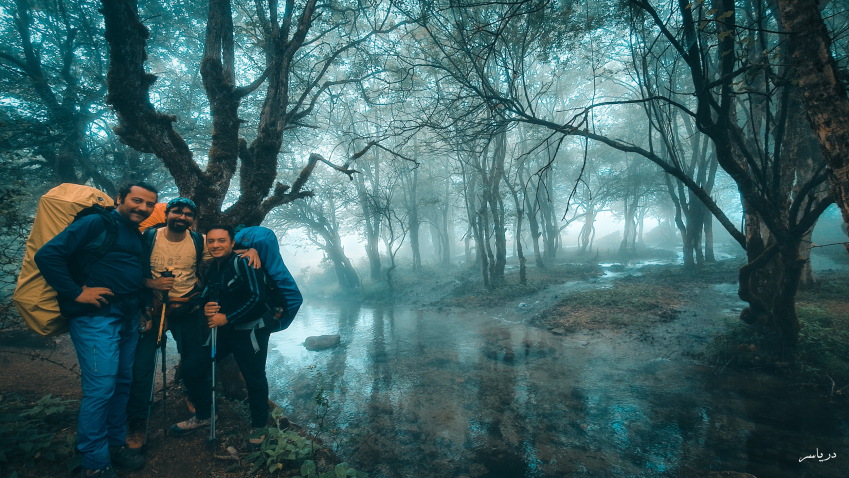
(251, 364)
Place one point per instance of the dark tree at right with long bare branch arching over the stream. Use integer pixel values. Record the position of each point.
(749, 126)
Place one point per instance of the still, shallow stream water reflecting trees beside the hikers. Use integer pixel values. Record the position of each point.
(443, 393)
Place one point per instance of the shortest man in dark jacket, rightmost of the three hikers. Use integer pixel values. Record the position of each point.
(235, 295)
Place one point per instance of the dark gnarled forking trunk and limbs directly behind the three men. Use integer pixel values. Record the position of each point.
(143, 128)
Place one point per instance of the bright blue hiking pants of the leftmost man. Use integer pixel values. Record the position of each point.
(105, 349)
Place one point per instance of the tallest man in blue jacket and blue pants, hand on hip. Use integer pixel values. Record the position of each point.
(102, 306)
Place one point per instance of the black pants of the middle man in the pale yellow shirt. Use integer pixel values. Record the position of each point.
(188, 332)
